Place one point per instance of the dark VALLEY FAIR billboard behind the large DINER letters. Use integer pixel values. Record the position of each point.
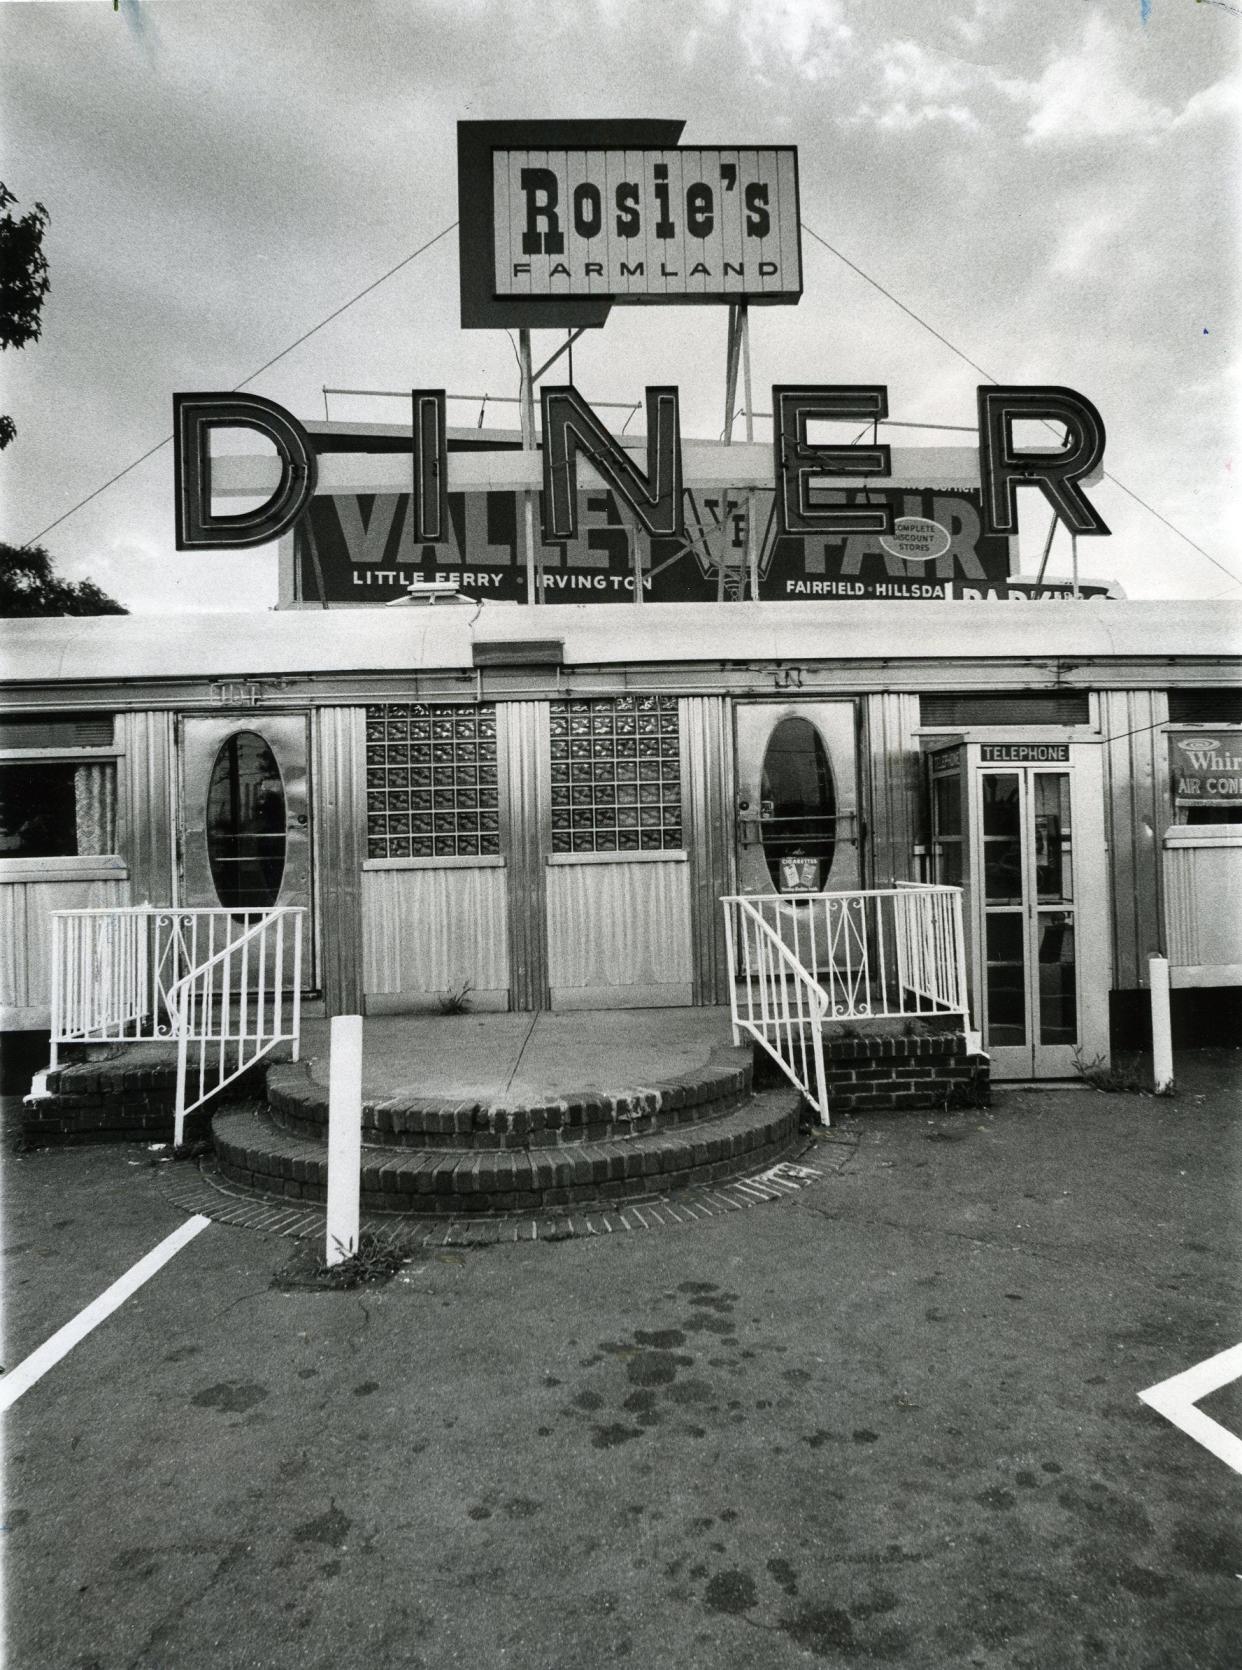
(360, 549)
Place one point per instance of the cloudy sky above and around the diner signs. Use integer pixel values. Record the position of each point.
(1051, 186)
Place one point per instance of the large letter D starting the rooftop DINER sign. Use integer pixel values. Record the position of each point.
(194, 418)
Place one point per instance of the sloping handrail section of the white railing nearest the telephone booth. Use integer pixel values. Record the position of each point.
(790, 1011)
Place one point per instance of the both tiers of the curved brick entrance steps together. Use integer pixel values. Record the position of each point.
(475, 1158)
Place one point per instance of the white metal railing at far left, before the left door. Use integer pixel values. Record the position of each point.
(225, 984)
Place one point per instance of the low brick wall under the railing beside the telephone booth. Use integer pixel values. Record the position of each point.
(891, 1075)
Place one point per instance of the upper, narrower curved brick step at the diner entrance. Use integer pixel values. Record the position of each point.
(300, 1105)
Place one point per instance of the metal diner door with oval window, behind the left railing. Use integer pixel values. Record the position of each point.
(245, 832)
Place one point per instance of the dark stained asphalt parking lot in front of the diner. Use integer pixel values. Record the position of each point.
(892, 1419)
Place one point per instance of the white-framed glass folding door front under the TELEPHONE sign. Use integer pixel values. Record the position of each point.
(1041, 914)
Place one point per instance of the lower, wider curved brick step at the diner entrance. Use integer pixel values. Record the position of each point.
(256, 1155)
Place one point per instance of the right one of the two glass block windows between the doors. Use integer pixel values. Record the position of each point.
(617, 776)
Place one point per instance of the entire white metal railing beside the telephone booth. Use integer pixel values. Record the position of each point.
(881, 954)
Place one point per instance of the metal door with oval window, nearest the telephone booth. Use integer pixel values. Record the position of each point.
(797, 817)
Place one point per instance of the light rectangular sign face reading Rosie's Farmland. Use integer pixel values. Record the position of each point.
(647, 226)
